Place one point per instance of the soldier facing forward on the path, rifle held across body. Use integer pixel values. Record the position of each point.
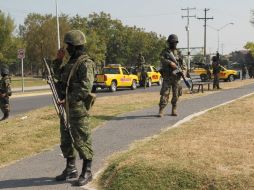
(170, 63)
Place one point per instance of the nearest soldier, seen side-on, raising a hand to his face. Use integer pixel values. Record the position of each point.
(75, 81)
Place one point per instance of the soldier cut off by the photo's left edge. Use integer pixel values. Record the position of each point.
(5, 92)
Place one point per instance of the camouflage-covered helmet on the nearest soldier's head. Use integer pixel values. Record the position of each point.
(75, 38)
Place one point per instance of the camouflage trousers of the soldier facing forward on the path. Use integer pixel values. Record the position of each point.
(167, 85)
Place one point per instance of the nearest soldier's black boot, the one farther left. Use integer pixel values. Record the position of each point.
(69, 172)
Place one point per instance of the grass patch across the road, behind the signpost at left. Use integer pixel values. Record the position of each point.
(16, 82)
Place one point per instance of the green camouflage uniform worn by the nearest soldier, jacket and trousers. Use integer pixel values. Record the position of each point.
(80, 85)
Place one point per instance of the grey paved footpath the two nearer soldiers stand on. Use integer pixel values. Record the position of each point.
(38, 172)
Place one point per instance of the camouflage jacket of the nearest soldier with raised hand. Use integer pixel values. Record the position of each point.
(80, 85)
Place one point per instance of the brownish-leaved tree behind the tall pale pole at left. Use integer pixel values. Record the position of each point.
(40, 35)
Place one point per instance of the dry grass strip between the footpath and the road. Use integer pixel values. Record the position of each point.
(38, 130)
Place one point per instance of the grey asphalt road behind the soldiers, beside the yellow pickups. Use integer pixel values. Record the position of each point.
(23, 104)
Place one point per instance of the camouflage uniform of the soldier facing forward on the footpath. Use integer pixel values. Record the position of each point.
(170, 80)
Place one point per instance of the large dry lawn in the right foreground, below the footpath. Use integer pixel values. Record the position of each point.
(215, 151)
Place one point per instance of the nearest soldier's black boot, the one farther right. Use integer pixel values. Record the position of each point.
(86, 174)
